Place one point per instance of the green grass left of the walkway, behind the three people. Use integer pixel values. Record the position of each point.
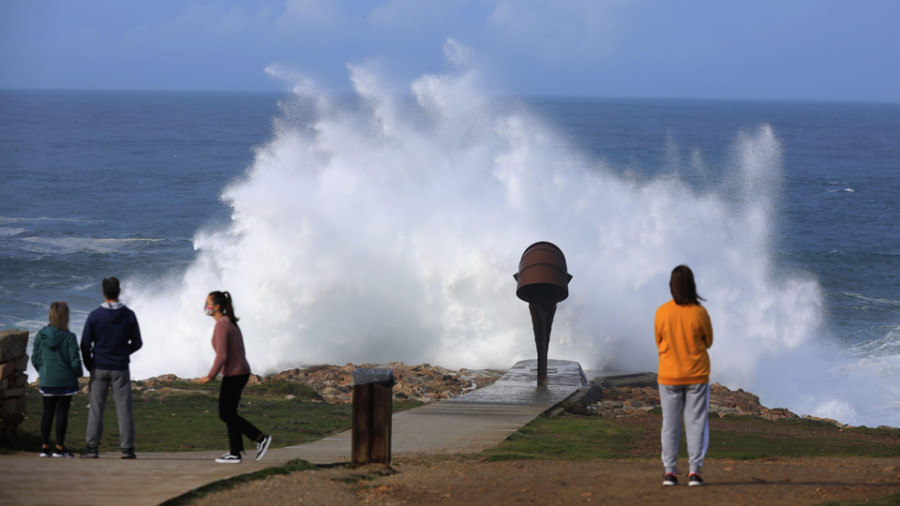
(183, 416)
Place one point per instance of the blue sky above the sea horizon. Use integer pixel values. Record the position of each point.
(757, 49)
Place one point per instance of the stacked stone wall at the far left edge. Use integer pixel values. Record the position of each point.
(13, 363)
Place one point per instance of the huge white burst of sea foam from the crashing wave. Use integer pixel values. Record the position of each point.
(387, 228)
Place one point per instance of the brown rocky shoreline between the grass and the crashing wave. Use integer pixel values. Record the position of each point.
(618, 396)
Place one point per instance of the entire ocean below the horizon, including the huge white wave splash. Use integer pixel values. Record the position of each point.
(374, 228)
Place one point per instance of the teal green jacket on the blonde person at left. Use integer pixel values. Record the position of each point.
(56, 357)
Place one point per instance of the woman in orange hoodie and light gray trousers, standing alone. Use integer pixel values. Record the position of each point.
(683, 334)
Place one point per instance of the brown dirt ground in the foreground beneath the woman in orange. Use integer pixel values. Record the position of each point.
(425, 480)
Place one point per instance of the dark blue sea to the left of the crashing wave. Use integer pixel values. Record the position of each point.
(112, 182)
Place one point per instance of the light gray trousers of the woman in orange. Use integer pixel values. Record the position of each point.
(691, 404)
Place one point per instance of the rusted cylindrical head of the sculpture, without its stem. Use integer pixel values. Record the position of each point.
(543, 276)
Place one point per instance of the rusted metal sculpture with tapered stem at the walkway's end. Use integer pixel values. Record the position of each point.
(543, 281)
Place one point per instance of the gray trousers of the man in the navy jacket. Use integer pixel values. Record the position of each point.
(101, 380)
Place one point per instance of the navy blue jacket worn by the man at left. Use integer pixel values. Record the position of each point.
(110, 336)
